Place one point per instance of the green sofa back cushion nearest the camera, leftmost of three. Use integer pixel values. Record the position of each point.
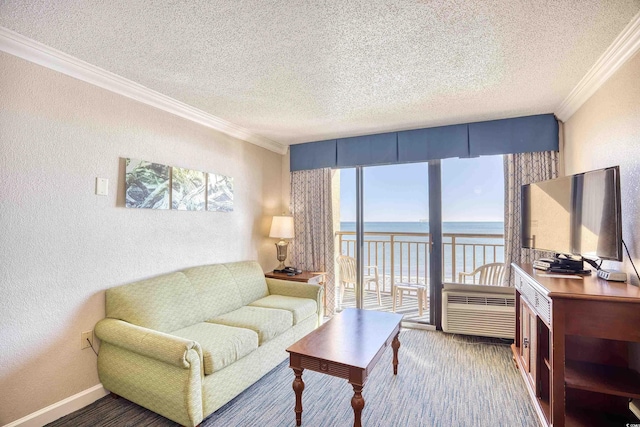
(164, 303)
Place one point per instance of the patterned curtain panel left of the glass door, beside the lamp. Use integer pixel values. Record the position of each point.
(313, 245)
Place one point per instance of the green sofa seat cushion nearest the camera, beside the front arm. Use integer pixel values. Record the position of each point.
(221, 345)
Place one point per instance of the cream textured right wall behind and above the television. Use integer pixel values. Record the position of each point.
(604, 132)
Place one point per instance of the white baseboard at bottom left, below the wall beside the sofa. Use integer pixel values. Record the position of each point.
(61, 408)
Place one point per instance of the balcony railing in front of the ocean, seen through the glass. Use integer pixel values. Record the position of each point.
(404, 257)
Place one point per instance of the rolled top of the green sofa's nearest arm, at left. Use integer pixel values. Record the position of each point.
(147, 342)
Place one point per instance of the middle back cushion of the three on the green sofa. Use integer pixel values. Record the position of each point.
(217, 290)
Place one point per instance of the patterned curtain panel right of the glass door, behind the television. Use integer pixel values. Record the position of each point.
(520, 169)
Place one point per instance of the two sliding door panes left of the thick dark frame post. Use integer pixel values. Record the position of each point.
(392, 257)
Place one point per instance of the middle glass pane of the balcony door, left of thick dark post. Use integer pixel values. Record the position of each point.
(396, 240)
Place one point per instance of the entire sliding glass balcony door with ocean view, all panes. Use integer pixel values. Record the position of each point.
(422, 224)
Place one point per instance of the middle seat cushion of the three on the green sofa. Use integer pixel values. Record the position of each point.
(267, 322)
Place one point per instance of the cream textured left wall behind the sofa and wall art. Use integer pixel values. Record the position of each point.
(62, 246)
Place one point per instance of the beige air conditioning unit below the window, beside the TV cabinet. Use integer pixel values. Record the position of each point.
(487, 311)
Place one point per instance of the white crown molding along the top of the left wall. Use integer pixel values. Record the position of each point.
(36, 52)
